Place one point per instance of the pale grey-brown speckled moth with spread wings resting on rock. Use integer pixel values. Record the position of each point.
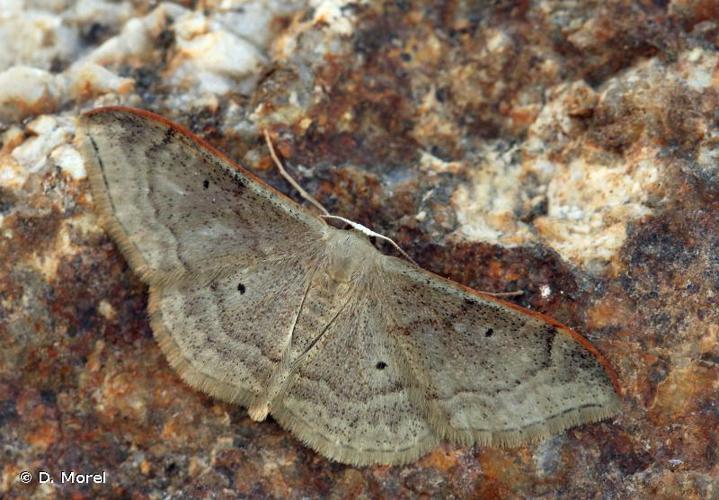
(363, 356)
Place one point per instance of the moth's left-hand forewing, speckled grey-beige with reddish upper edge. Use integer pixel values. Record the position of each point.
(176, 206)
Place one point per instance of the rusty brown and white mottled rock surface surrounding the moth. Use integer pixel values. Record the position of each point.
(569, 149)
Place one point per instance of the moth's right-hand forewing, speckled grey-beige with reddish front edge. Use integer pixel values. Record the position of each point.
(490, 373)
